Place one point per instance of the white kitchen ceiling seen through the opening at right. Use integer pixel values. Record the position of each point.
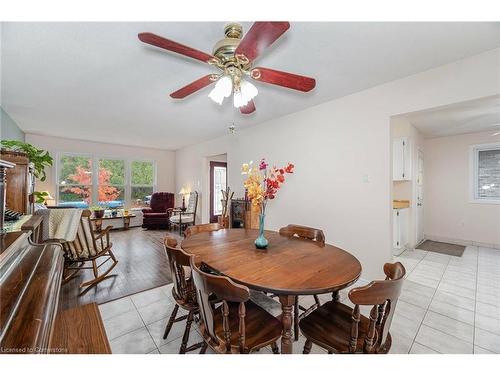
(473, 116)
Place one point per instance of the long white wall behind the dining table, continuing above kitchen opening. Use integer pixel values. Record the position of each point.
(336, 145)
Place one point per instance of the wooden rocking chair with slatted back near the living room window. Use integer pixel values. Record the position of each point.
(88, 246)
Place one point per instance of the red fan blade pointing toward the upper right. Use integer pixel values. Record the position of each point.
(260, 36)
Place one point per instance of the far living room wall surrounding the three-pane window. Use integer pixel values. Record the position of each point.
(165, 160)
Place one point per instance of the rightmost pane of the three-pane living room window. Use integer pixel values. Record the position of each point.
(142, 185)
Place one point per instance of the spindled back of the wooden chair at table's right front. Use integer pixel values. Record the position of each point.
(383, 295)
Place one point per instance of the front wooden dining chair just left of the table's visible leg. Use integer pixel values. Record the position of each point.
(236, 325)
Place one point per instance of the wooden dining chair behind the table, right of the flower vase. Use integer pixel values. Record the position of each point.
(313, 234)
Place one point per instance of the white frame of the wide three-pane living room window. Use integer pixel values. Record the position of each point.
(95, 174)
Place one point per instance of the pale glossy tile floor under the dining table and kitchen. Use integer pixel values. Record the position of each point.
(448, 305)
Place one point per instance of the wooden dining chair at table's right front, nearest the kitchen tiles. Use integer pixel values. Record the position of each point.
(339, 328)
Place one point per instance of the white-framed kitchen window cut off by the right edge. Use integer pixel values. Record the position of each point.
(486, 173)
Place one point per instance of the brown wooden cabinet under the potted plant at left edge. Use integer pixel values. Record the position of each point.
(19, 182)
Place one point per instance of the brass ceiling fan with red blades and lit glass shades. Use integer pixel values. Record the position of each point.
(234, 56)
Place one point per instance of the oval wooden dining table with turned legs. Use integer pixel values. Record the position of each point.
(289, 267)
